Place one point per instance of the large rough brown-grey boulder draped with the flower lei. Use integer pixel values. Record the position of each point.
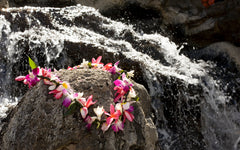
(38, 122)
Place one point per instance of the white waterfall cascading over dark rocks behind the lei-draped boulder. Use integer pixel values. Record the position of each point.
(190, 107)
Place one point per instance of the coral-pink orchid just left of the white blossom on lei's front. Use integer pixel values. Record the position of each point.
(86, 105)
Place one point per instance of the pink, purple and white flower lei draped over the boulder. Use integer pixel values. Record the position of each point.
(124, 96)
